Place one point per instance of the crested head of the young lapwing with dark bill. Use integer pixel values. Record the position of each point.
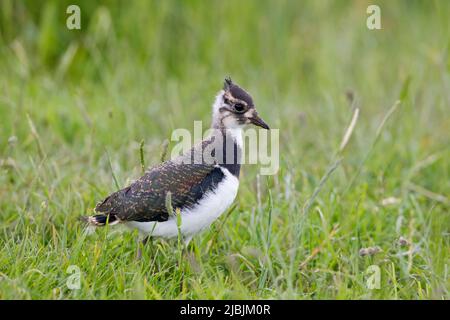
(234, 108)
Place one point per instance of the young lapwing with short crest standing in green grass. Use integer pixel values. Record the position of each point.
(200, 184)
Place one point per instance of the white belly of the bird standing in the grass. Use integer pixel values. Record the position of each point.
(194, 220)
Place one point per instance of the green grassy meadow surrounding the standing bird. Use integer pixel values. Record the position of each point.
(75, 107)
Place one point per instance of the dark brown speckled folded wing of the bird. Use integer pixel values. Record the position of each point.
(145, 199)
